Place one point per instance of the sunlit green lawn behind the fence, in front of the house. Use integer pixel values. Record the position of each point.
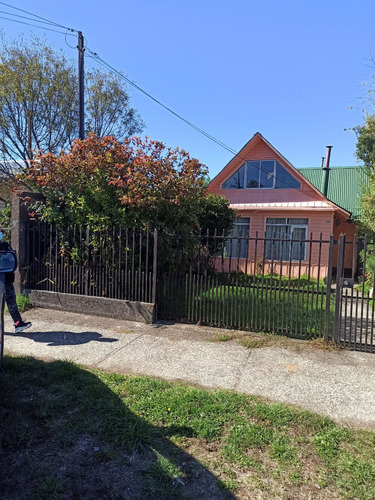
(275, 308)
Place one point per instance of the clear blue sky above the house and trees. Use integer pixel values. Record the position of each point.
(292, 70)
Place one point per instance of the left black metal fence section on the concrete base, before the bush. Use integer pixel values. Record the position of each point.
(115, 264)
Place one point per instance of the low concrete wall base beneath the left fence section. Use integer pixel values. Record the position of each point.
(98, 306)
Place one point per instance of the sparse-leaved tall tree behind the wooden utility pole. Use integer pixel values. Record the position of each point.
(39, 101)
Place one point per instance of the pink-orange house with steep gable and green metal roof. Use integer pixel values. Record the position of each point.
(278, 203)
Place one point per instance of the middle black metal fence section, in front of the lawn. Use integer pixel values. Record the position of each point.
(226, 281)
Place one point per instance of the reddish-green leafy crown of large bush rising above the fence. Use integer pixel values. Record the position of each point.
(102, 182)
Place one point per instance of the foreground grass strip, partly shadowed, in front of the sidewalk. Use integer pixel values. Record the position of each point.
(71, 433)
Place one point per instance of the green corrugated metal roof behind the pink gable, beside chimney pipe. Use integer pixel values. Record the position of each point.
(344, 185)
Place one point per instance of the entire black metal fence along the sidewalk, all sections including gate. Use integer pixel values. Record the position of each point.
(303, 287)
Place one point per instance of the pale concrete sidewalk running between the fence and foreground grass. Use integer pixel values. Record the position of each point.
(340, 385)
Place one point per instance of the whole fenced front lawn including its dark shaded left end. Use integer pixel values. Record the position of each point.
(295, 308)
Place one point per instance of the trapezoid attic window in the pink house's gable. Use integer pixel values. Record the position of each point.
(264, 174)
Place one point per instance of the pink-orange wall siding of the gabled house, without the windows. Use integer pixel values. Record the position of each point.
(258, 204)
